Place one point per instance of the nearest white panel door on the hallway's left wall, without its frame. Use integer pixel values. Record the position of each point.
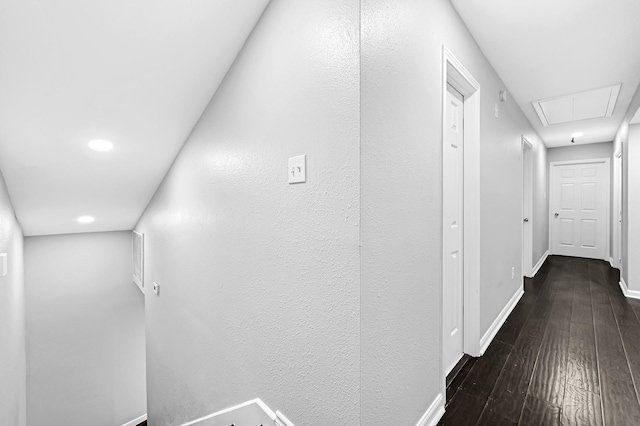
(453, 187)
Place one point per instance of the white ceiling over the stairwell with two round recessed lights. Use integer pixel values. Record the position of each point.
(138, 73)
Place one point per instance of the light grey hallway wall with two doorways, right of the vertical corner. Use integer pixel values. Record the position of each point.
(401, 200)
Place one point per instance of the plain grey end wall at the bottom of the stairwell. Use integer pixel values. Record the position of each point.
(85, 331)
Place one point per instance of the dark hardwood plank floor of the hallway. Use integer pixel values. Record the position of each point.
(569, 354)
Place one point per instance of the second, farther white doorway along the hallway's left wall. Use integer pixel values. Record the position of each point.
(527, 195)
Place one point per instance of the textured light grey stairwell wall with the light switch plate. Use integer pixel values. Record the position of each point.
(259, 279)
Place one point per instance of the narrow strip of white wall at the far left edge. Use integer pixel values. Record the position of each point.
(12, 318)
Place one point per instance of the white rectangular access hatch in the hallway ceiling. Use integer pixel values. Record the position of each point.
(597, 103)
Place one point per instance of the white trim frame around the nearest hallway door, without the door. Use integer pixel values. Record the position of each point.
(455, 74)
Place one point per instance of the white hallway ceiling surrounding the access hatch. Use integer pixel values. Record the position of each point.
(549, 48)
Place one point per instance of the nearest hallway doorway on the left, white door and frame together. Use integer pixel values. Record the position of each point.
(460, 316)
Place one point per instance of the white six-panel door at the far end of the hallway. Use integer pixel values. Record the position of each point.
(579, 208)
